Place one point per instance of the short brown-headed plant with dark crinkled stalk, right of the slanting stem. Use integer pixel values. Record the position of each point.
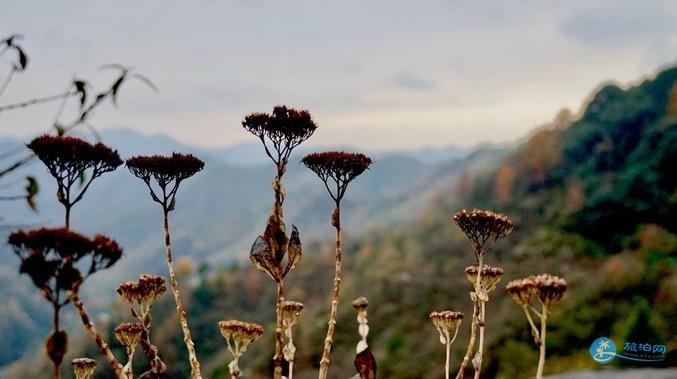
(140, 296)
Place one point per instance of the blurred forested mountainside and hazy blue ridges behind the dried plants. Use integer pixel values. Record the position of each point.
(592, 195)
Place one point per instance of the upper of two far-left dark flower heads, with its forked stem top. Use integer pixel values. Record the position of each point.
(74, 163)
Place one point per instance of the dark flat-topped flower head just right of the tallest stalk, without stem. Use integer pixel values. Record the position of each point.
(339, 167)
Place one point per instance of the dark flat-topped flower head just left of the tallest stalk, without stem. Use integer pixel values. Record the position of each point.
(167, 172)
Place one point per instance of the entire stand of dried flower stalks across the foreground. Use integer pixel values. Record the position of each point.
(59, 260)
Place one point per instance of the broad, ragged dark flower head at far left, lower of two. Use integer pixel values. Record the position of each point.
(48, 254)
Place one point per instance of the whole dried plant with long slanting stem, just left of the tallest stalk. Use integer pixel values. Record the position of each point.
(163, 175)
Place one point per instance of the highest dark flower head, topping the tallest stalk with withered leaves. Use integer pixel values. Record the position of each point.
(281, 131)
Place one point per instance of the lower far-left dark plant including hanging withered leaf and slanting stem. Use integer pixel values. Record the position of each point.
(53, 259)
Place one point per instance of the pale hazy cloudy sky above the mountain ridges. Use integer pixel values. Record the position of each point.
(375, 74)
